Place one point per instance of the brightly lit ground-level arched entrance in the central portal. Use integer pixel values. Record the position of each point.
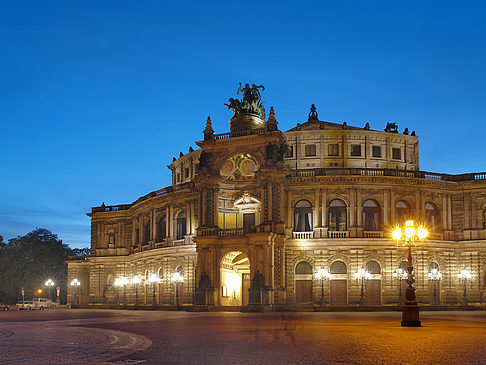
(235, 279)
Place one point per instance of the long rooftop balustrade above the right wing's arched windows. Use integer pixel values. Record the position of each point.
(387, 172)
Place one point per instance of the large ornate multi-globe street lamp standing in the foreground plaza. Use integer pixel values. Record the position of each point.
(410, 235)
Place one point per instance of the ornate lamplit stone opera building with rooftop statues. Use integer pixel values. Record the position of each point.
(254, 213)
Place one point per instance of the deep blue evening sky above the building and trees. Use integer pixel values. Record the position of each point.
(97, 96)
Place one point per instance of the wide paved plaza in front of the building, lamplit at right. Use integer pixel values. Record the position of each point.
(160, 337)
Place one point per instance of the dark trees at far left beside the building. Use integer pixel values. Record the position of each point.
(29, 261)
